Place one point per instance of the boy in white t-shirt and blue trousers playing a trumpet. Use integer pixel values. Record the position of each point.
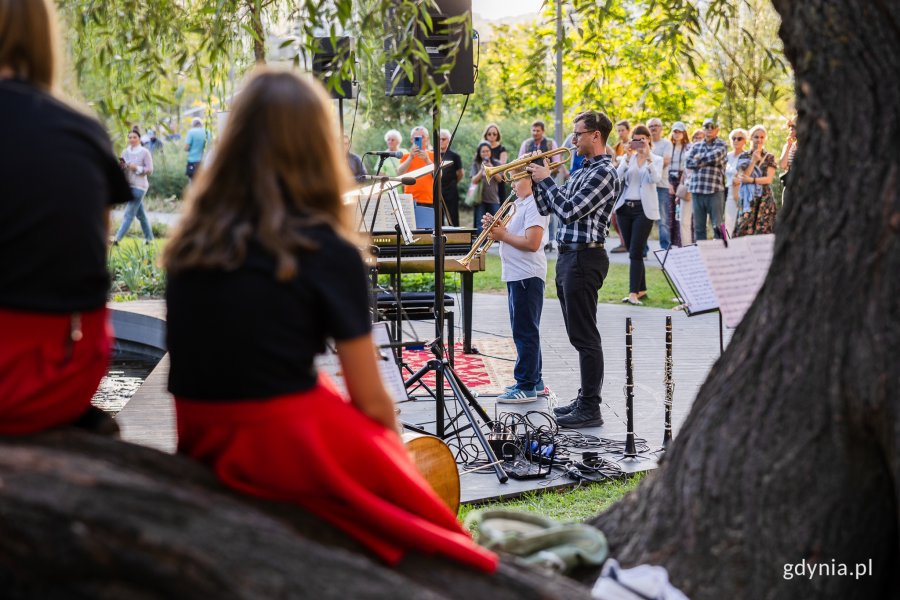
(524, 269)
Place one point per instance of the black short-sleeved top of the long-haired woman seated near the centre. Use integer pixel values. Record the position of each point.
(242, 335)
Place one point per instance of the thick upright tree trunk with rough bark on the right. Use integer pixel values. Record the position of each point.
(791, 451)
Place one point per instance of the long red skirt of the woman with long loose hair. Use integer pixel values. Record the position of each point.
(315, 449)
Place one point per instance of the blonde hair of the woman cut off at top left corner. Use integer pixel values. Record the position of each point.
(28, 41)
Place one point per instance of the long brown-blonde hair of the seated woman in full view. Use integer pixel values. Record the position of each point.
(278, 169)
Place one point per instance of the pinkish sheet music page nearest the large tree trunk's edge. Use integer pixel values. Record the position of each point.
(737, 272)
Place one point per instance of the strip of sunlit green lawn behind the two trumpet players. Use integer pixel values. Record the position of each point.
(614, 288)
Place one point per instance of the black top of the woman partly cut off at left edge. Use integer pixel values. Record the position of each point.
(58, 175)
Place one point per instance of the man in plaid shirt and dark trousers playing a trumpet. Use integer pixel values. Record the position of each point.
(583, 205)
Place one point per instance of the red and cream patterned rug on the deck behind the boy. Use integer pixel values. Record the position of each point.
(487, 373)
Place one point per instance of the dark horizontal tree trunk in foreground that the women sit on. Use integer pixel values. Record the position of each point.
(88, 517)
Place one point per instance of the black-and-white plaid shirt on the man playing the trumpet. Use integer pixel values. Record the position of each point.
(583, 203)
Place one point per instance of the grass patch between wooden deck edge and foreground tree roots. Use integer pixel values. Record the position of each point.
(567, 505)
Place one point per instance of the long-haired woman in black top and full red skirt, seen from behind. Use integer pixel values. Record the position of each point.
(262, 270)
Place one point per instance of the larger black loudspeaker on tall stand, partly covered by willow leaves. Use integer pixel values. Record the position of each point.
(460, 79)
